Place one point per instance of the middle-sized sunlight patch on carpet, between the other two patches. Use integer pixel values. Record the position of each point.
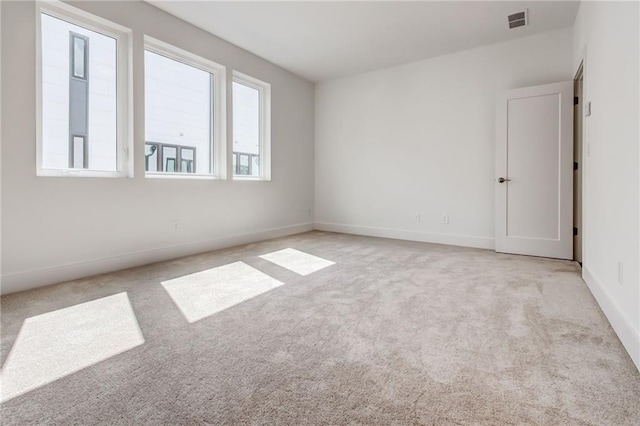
(205, 293)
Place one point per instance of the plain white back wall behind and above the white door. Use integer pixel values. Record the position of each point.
(419, 139)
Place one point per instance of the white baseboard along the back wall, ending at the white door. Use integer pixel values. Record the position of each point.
(401, 234)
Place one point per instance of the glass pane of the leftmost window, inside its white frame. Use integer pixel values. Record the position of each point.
(75, 106)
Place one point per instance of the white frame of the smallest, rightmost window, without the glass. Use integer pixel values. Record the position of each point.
(264, 90)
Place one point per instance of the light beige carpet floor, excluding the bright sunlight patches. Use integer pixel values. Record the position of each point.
(394, 332)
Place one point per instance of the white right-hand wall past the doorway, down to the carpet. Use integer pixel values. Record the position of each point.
(606, 36)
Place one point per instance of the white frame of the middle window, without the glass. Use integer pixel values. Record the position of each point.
(219, 149)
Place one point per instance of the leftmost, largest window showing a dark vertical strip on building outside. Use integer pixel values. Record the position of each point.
(83, 90)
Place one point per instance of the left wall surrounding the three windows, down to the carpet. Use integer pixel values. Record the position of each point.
(58, 228)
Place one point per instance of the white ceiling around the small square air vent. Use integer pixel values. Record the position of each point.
(324, 40)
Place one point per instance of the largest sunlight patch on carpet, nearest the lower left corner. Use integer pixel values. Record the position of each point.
(53, 345)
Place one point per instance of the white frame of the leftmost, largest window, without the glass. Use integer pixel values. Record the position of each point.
(124, 94)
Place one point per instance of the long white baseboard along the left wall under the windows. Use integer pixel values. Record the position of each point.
(26, 280)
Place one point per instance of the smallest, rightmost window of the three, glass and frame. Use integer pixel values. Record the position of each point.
(251, 128)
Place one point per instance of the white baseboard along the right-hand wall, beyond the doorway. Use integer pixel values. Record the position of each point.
(623, 326)
